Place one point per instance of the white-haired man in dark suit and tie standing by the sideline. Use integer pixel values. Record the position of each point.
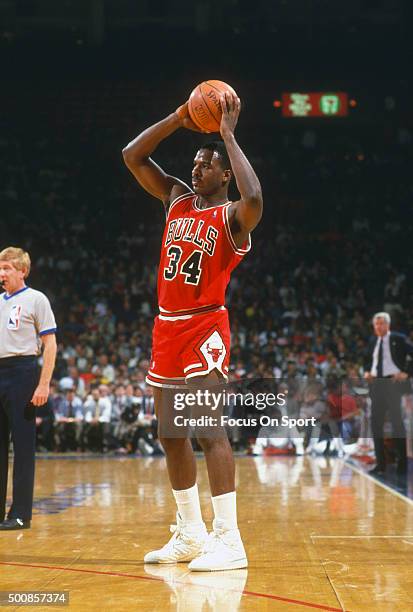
(388, 371)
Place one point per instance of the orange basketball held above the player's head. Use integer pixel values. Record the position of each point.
(204, 106)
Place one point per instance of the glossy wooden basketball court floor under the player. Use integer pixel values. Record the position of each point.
(319, 535)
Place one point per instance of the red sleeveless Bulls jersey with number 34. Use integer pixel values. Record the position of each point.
(198, 255)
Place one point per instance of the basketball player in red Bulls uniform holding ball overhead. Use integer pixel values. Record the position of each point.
(205, 238)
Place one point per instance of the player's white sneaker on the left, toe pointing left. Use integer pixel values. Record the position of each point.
(186, 543)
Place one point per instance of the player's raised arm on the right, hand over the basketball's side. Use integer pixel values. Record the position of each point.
(248, 210)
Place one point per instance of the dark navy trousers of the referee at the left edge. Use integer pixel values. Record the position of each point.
(19, 377)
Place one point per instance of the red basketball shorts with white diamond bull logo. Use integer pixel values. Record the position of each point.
(185, 348)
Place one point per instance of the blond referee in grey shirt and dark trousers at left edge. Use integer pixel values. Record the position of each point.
(26, 323)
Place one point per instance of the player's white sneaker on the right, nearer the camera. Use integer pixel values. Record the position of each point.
(223, 550)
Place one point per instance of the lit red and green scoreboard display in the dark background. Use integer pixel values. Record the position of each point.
(315, 104)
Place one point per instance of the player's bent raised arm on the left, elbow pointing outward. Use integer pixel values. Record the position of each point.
(137, 156)
